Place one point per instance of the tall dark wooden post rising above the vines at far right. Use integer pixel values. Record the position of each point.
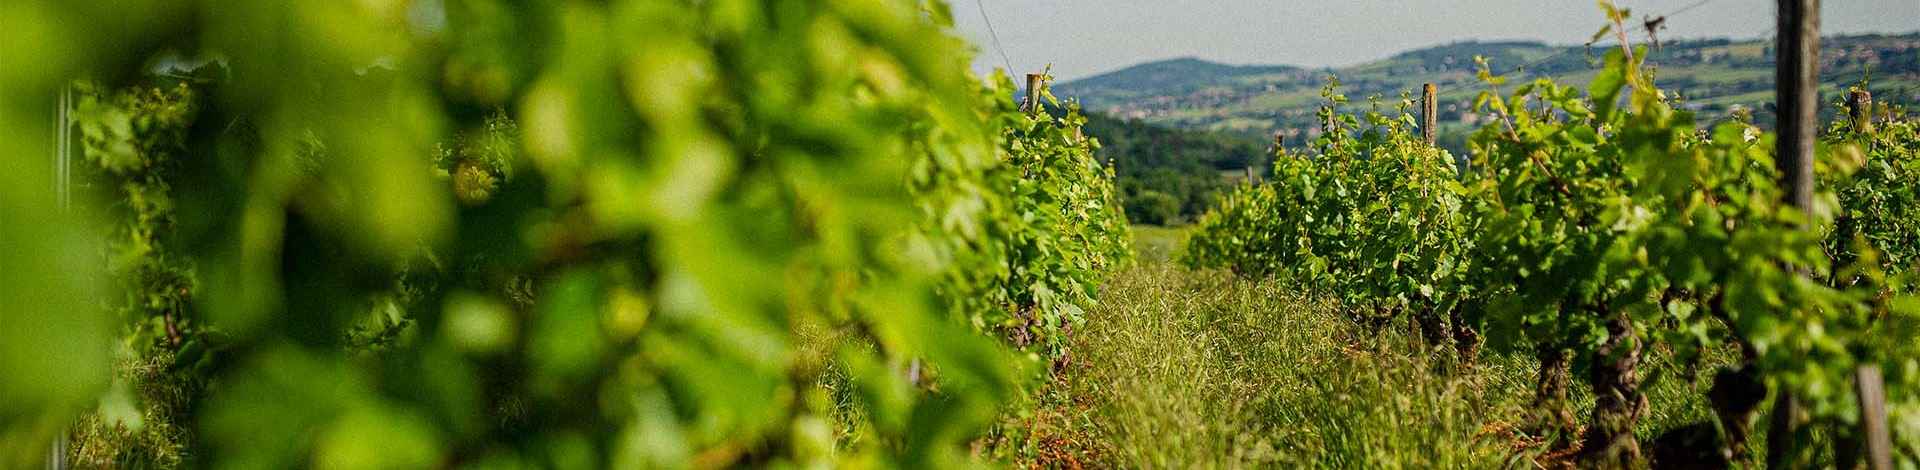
(1796, 76)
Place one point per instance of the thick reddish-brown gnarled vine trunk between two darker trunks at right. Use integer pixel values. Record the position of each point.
(1618, 402)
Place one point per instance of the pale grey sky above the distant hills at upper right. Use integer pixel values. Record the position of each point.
(1086, 37)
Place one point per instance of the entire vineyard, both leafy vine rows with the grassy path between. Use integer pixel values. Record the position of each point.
(750, 233)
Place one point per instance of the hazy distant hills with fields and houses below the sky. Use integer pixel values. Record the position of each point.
(1259, 101)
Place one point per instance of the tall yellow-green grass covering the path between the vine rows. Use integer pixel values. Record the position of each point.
(1188, 369)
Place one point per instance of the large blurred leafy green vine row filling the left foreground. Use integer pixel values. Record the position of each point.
(554, 235)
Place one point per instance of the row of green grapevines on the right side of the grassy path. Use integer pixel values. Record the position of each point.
(1593, 225)
